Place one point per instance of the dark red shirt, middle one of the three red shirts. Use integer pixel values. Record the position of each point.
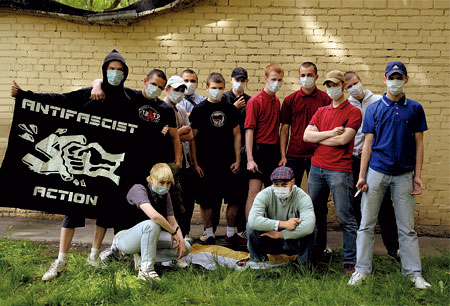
(297, 110)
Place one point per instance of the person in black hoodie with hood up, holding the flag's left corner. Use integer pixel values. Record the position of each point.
(115, 72)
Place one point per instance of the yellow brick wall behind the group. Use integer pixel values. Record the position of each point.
(47, 54)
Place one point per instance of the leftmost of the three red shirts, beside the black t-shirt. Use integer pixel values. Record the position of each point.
(263, 116)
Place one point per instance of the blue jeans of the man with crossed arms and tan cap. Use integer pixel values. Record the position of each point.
(320, 182)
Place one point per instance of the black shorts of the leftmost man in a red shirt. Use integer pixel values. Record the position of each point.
(267, 157)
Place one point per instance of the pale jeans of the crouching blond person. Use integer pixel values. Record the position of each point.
(146, 237)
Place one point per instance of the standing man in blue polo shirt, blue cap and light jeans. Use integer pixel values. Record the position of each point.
(392, 156)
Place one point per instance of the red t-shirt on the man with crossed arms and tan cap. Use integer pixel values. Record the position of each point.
(327, 118)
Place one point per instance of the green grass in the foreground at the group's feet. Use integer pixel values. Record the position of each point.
(22, 263)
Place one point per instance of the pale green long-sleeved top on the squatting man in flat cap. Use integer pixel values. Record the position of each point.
(267, 209)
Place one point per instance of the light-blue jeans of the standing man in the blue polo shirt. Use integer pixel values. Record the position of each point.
(404, 205)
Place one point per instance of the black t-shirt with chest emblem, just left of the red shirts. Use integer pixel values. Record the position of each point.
(215, 139)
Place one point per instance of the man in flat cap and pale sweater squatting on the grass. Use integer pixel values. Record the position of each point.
(281, 220)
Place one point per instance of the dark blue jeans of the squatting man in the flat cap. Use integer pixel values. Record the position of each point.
(259, 247)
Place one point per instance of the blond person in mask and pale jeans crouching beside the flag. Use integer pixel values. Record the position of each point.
(158, 238)
